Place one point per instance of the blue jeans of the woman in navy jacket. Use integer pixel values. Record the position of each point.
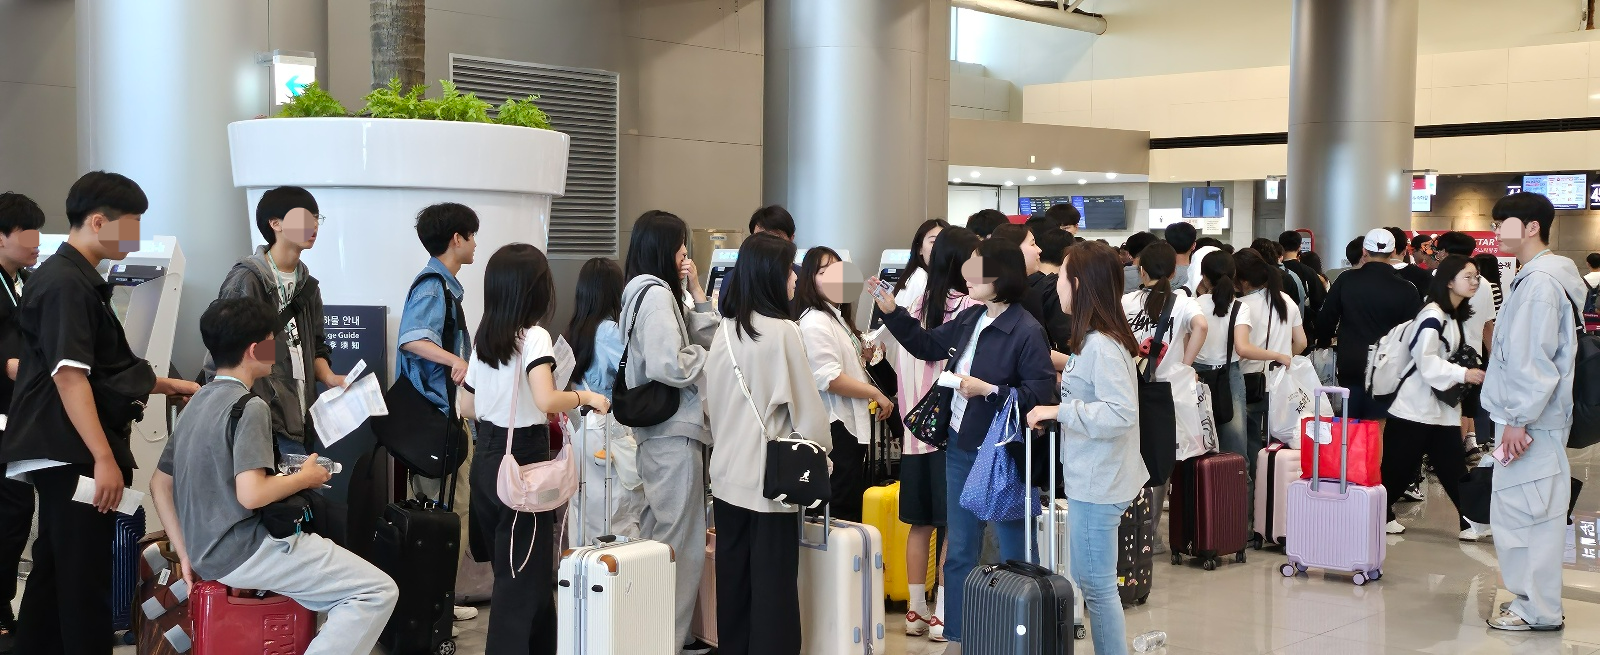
(967, 536)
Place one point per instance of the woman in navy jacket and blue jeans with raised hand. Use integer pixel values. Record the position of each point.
(1010, 353)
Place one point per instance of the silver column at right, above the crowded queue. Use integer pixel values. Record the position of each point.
(1353, 111)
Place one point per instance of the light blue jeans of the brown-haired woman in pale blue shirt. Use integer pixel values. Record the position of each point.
(1094, 529)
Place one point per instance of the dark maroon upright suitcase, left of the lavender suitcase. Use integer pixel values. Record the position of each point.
(1210, 508)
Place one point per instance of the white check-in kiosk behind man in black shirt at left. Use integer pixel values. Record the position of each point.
(145, 297)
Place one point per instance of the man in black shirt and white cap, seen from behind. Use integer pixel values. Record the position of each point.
(1362, 307)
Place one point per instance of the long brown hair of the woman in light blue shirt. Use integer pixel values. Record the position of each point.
(1097, 299)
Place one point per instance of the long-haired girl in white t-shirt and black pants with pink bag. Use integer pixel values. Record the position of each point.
(510, 390)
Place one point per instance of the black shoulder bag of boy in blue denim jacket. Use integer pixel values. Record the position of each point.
(414, 427)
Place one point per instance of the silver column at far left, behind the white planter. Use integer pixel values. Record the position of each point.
(159, 81)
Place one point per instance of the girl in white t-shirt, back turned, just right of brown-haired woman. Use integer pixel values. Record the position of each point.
(1182, 342)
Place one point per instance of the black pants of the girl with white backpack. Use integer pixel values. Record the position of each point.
(1406, 443)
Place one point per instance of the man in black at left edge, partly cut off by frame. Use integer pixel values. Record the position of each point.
(20, 223)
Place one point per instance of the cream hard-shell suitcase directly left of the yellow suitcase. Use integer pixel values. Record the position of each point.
(841, 589)
